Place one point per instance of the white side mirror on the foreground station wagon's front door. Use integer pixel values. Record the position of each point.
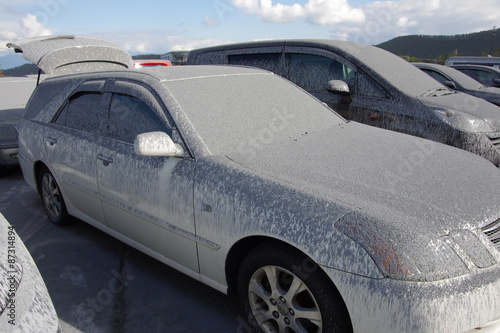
(156, 144)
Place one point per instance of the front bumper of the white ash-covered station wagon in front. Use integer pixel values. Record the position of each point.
(458, 305)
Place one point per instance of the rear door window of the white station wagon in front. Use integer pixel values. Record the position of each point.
(83, 111)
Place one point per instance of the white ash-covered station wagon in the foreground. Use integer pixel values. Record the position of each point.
(241, 180)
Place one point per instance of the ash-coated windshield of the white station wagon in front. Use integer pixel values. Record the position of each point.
(232, 111)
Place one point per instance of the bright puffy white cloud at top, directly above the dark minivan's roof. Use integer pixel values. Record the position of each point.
(320, 12)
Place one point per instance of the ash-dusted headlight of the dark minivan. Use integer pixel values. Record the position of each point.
(463, 121)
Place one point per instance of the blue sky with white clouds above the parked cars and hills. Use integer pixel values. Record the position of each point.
(148, 26)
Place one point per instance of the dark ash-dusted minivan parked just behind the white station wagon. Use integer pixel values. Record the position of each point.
(372, 86)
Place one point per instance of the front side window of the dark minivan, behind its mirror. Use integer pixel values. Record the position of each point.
(313, 72)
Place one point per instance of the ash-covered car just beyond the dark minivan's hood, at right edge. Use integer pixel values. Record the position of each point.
(457, 80)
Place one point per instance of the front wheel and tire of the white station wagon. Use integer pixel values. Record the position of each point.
(282, 290)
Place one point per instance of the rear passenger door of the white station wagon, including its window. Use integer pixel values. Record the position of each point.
(71, 141)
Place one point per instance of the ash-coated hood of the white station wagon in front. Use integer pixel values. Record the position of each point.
(403, 181)
